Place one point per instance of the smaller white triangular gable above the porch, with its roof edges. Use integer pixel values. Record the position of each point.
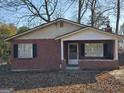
(89, 33)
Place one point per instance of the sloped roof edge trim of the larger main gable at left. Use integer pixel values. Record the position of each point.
(42, 26)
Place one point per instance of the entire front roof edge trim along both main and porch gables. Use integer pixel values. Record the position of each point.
(82, 28)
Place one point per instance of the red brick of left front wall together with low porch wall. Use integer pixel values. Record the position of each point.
(49, 58)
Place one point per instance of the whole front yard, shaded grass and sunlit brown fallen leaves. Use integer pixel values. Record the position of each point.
(63, 82)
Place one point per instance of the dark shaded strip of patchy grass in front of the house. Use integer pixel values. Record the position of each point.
(31, 80)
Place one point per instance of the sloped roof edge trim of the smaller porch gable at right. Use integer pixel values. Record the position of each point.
(89, 27)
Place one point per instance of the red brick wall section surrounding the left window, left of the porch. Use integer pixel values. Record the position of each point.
(48, 56)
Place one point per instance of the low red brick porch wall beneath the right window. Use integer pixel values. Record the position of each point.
(102, 64)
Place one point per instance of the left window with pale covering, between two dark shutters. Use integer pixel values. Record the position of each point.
(25, 50)
